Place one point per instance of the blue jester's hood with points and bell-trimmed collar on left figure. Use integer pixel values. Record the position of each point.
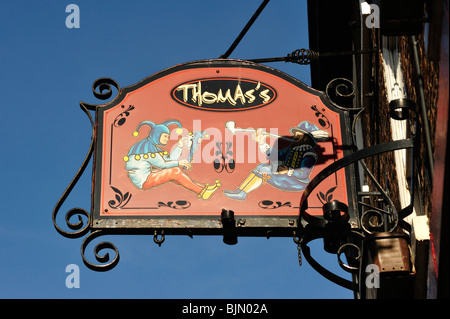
(149, 145)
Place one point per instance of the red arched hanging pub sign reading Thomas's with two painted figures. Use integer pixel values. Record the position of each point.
(176, 149)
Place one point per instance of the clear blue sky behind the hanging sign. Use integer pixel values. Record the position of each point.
(46, 69)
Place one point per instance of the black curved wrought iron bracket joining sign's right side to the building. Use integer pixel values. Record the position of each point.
(339, 236)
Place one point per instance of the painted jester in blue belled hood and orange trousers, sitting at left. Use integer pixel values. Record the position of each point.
(149, 165)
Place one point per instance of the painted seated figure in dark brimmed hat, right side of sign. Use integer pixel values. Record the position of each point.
(289, 167)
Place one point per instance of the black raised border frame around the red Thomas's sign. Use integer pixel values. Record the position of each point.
(211, 224)
